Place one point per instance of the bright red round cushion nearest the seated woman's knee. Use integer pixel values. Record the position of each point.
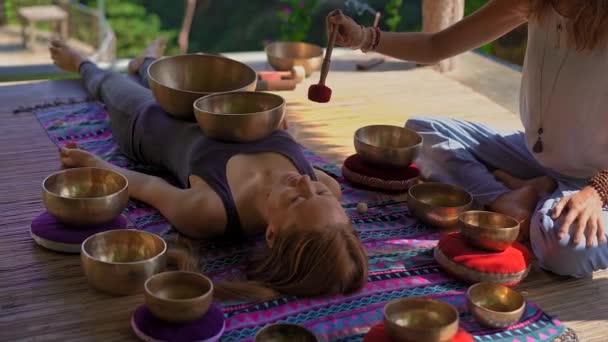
(473, 265)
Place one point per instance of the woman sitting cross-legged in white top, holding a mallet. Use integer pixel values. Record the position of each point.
(553, 176)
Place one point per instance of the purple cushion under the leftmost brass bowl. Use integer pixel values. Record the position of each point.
(46, 227)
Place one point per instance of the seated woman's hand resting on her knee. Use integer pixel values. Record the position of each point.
(584, 207)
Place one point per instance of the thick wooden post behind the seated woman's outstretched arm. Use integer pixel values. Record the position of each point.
(438, 15)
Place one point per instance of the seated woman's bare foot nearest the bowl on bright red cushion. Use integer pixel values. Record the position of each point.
(519, 204)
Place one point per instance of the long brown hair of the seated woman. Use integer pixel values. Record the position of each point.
(587, 28)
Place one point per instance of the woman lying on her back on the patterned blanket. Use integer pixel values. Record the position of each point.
(227, 189)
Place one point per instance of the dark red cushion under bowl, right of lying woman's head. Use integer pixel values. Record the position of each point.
(358, 172)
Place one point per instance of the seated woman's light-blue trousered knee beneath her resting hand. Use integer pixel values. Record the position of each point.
(560, 256)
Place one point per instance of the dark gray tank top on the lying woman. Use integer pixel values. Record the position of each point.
(181, 148)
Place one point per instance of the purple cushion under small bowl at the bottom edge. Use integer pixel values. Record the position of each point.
(208, 328)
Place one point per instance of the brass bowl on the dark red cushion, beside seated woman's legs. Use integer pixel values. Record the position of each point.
(387, 146)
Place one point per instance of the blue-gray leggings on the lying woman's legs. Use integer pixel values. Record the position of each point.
(123, 95)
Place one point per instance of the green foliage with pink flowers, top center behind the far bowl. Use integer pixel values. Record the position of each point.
(295, 18)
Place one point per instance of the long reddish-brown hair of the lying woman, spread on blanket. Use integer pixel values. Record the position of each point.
(302, 262)
